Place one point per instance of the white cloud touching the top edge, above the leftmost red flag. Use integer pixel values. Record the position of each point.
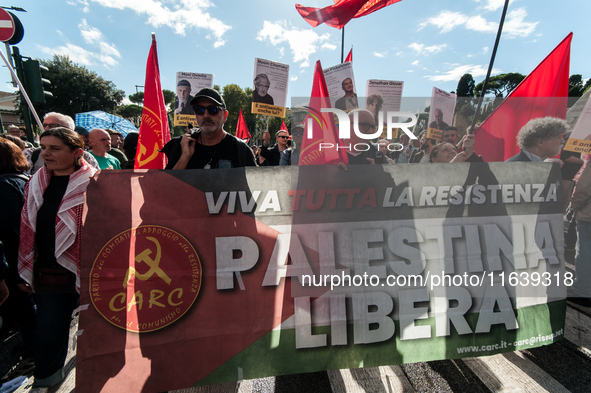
(182, 16)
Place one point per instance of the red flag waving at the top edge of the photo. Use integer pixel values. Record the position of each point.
(339, 14)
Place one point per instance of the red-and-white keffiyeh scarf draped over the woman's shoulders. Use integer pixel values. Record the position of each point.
(67, 225)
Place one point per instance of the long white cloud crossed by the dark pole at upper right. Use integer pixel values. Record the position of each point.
(515, 24)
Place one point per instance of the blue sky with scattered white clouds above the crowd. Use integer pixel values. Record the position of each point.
(424, 43)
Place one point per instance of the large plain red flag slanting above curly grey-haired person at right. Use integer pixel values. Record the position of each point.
(544, 92)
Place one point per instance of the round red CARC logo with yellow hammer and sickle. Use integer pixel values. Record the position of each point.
(145, 278)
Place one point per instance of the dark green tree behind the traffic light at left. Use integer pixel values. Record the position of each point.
(75, 89)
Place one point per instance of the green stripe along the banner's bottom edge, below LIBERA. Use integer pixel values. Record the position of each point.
(539, 325)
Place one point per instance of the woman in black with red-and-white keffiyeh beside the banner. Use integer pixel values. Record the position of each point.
(49, 252)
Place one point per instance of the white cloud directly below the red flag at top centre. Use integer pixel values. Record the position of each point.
(303, 43)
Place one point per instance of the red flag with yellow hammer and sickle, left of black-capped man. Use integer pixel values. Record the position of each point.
(154, 132)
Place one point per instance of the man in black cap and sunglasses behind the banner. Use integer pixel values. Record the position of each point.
(210, 147)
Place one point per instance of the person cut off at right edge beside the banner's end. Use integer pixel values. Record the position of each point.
(581, 204)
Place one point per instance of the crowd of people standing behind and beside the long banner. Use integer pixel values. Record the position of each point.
(42, 190)
